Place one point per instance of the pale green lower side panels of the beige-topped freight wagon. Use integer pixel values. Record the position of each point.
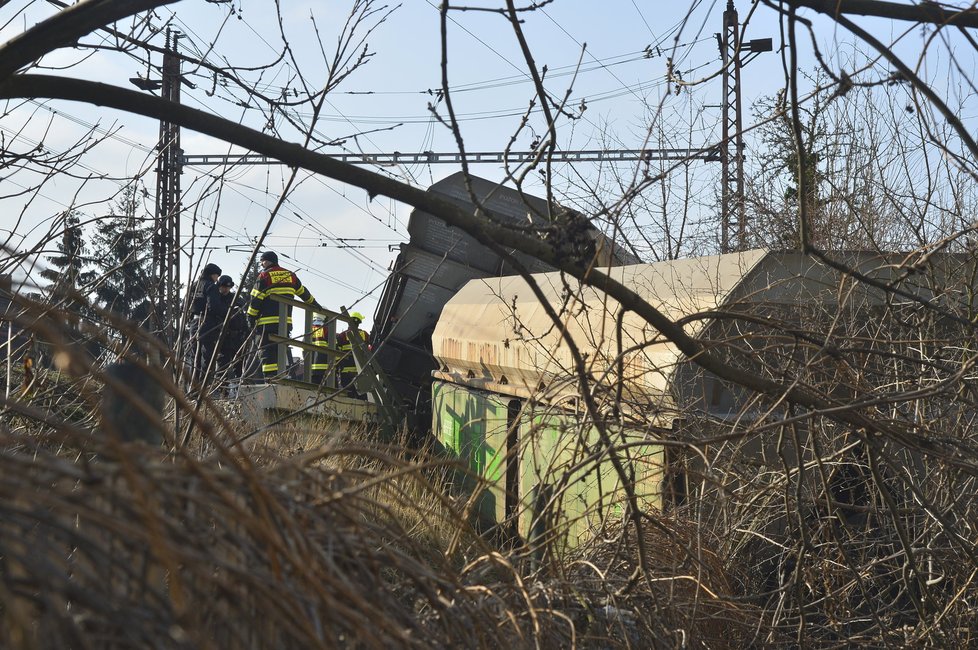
(544, 469)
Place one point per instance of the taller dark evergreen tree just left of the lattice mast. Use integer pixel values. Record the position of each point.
(124, 258)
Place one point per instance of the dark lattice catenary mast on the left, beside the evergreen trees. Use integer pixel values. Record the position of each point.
(166, 236)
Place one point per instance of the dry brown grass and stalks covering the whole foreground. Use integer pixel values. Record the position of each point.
(309, 536)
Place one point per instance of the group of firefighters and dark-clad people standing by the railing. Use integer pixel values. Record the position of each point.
(224, 324)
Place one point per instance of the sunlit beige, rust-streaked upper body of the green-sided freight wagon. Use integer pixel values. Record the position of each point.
(495, 334)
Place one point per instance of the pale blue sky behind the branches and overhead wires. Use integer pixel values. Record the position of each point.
(610, 57)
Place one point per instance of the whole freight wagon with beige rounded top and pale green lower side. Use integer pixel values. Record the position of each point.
(509, 398)
